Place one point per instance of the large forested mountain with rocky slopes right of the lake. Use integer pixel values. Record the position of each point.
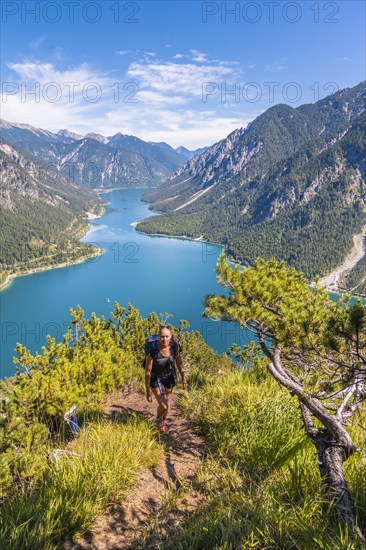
(290, 185)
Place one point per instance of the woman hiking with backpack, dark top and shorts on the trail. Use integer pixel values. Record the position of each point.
(160, 375)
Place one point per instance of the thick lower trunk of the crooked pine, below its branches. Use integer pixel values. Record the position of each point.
(331, 456)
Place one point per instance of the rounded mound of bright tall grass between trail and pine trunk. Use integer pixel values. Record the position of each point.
(247, 421)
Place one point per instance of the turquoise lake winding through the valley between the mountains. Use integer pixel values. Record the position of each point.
(153, 273)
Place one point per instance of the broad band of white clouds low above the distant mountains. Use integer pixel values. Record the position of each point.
(156, 100)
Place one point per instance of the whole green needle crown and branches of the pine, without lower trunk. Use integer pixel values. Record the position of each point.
(321, 343)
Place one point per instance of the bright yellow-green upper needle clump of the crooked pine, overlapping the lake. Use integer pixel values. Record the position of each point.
(276, 297)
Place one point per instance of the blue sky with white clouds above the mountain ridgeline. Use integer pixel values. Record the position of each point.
(187, 73)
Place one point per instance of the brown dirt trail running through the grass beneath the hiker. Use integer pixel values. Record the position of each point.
(143, 521)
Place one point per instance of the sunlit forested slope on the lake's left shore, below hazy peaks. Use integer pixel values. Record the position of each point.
(42, 213)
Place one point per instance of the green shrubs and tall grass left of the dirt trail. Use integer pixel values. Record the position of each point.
(51, 503)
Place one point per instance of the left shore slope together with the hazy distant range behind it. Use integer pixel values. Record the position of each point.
(46, 179)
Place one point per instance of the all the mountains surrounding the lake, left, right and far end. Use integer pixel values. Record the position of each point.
(291, 185)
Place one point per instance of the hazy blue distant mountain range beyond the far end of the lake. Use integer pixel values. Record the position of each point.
(97, 161)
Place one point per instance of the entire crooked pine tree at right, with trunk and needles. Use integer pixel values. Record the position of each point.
(315, 348)
